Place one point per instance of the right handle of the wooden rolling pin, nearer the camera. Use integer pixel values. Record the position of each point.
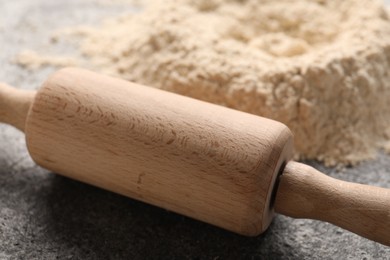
(305, 192)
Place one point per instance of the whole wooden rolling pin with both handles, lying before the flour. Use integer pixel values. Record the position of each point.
(218, 165)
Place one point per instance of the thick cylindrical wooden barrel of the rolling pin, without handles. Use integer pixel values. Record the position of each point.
(207, 162)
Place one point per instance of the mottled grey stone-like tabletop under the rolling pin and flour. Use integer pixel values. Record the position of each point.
(46, 216)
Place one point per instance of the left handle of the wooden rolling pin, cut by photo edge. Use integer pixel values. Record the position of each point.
(14, 105)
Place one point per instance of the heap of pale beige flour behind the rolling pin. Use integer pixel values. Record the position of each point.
(320, 67)
